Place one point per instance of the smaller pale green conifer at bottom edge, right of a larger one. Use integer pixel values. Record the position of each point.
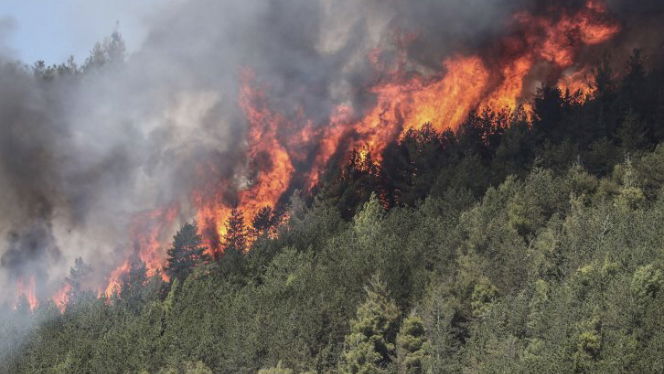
(413, 346)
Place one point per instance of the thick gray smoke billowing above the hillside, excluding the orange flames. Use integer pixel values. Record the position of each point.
(84, 151)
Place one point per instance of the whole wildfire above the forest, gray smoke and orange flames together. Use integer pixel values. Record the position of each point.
(208, 117)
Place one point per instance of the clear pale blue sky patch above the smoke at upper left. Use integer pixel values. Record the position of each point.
(53, 30)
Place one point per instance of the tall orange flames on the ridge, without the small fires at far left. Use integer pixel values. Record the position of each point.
(466, 83)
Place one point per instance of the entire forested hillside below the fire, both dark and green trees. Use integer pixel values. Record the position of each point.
(510, 245)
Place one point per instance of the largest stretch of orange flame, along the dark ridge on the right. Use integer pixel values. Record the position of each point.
(472, 82)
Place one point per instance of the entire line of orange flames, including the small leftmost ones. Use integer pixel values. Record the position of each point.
(538, 50)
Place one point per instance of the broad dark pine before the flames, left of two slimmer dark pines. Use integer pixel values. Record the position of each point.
(186, 252)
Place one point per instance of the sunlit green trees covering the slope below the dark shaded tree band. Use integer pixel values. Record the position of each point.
(523, 280)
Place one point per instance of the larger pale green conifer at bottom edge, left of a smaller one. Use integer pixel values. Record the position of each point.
(369, 348)
